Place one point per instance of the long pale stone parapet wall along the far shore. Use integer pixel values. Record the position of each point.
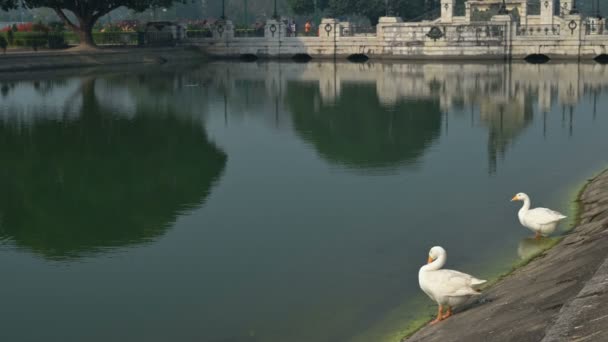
(499, 38)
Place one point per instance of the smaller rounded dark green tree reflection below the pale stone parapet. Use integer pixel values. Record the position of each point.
(359, 132)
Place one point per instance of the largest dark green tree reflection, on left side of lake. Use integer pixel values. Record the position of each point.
(101, 178)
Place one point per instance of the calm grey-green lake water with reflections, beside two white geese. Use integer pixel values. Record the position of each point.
(274, 202)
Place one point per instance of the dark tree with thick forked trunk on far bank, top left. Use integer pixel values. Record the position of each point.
(86, 12)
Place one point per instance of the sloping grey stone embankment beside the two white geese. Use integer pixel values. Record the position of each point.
(560, 296)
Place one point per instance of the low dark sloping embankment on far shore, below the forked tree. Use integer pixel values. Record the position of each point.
(44, 60)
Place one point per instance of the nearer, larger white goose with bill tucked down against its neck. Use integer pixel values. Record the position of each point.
(446, 287)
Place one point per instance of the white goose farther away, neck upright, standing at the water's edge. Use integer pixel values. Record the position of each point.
(542, 221)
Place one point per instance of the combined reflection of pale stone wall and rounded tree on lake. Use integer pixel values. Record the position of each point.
(317, 98)
